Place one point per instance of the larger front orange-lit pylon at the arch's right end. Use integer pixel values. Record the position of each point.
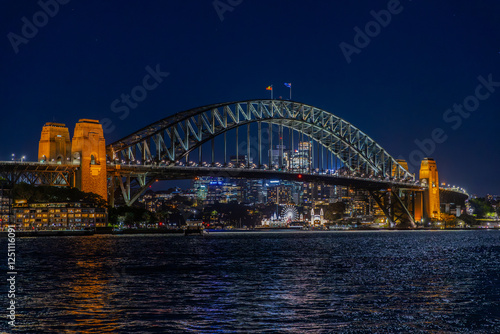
(429, 179)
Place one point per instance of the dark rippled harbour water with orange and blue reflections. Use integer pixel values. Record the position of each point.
(295, 282)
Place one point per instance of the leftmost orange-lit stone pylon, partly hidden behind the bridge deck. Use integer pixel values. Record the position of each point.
(55, 144)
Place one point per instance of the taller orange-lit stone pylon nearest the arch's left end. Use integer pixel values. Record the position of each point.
(89, 151)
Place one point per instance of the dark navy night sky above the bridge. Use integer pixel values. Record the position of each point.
(397, 85)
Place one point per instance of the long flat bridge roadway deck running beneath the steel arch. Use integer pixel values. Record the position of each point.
(63, 175)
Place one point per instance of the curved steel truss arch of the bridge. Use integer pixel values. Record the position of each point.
(174, 137)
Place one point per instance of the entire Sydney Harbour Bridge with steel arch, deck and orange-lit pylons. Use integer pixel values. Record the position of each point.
(244, 139)
